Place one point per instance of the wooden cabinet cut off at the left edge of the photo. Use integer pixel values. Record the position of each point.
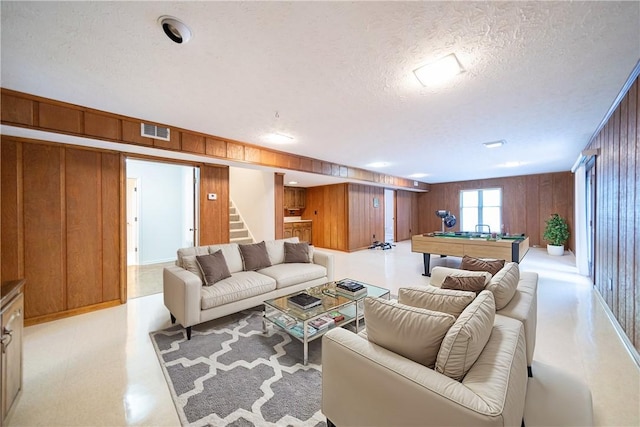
(11, 325)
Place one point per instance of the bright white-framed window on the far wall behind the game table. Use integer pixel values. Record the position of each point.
(481, 207)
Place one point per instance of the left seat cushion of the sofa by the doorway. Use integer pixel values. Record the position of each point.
(239, 286)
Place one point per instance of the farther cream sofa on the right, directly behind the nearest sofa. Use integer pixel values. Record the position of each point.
(517, 300)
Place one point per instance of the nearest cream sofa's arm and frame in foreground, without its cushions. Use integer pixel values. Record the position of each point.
(365, 384)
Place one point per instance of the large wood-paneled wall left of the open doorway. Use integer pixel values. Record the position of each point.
(62, 226)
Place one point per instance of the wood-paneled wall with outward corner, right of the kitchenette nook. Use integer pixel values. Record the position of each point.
(344, 217)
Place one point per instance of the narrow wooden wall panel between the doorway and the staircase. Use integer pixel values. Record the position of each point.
(214, 214)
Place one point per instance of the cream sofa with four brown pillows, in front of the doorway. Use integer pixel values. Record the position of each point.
(190, 302)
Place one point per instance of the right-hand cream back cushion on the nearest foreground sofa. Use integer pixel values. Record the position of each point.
(465, 340)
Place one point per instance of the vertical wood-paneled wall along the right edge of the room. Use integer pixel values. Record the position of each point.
(617, 214)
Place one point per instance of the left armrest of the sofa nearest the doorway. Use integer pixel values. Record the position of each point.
(182, 294)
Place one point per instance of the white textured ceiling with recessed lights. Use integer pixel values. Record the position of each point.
(540, 75)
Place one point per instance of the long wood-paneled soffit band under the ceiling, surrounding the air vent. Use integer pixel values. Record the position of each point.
(34, 112)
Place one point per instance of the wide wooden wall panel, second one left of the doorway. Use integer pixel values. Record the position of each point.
(83, 189)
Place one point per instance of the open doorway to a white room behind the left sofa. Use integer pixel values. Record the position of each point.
(161, 216)
